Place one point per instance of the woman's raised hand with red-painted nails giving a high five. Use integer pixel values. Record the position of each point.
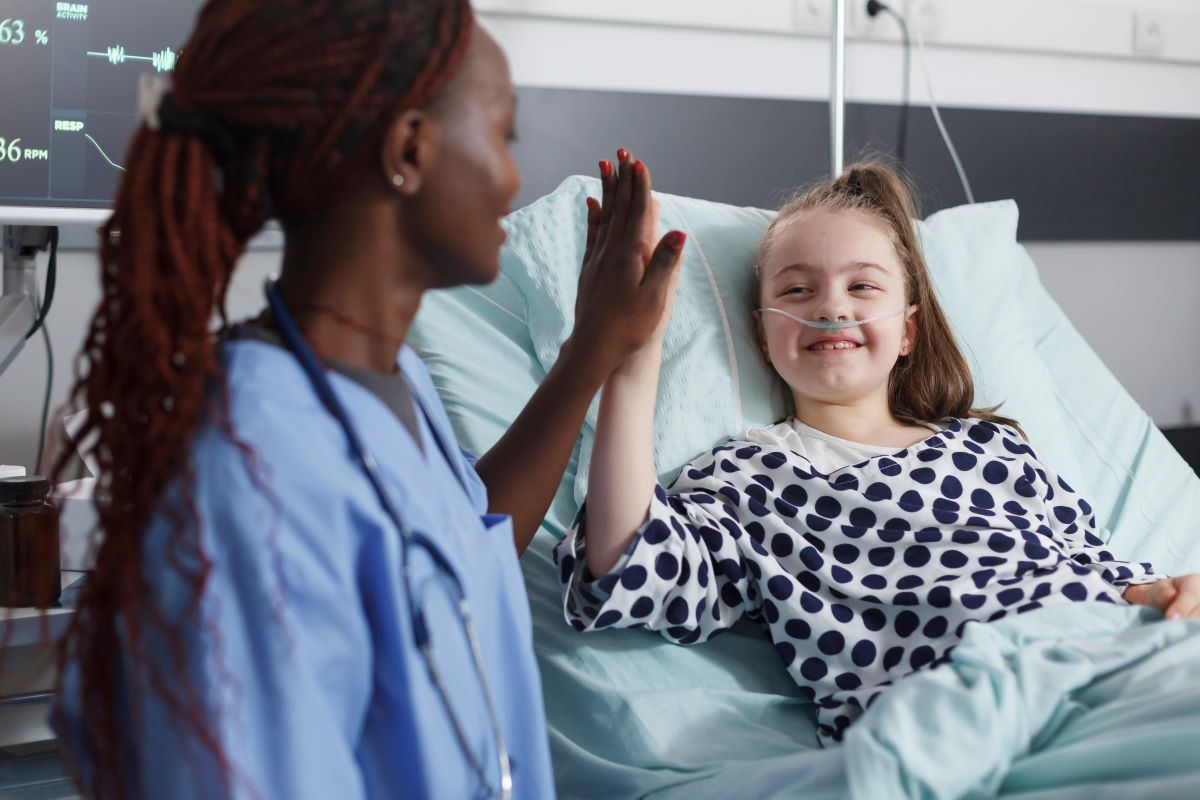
(628, 278)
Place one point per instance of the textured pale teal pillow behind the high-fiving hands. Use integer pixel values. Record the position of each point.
(715, 382)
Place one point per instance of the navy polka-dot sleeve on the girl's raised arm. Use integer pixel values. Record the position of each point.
(685, 573)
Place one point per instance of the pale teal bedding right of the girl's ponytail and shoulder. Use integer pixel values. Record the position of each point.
(1082, 423)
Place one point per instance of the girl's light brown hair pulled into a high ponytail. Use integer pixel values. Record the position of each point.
(933, 382)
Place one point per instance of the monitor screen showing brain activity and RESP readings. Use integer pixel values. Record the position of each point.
(69, 75)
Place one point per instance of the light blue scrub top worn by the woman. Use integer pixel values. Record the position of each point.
(307, 661)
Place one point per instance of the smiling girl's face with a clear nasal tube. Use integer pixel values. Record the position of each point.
(835, 267)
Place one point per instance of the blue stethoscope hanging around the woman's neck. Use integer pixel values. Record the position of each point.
(410, 539)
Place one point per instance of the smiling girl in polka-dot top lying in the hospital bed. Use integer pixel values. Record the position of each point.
(867, 531)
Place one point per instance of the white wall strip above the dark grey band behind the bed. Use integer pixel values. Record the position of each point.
(589, 55)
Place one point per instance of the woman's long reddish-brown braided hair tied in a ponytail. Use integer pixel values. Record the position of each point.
(271, 100)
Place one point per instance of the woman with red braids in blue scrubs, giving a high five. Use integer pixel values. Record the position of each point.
(307, 590)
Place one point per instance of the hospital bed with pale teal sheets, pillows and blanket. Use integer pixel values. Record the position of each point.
(633, 715)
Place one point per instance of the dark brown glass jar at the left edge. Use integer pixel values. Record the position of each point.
(29, 544)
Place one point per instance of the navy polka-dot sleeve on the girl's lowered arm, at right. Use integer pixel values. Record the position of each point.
(1072, 521)
